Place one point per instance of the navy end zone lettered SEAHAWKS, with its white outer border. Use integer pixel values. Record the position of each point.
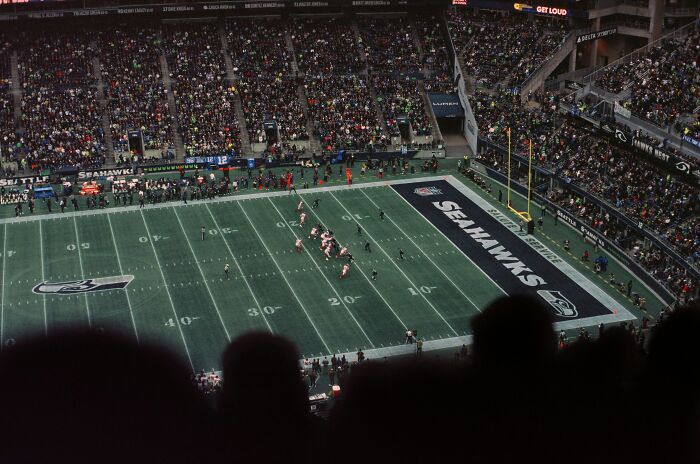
(517, 262)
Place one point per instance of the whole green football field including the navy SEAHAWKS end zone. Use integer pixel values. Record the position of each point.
(150, 275)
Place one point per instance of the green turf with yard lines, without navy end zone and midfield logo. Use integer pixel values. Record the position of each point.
(180, 297)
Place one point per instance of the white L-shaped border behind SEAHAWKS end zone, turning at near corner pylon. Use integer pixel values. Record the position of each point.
(618, 315)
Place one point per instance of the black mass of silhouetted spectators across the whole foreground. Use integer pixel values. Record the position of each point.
(501, 400)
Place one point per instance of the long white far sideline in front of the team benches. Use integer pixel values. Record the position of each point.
(226, 199)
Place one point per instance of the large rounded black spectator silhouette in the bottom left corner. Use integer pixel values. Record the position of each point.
(82, 397)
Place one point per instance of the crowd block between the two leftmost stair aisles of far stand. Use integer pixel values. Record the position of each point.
(60, 111)
